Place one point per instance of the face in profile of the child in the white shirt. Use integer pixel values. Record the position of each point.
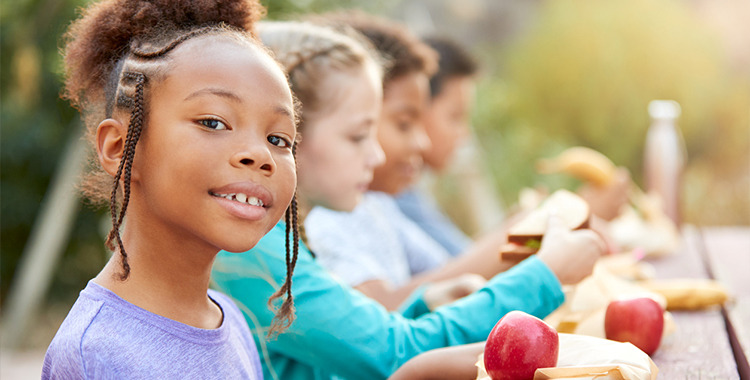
(401, 132)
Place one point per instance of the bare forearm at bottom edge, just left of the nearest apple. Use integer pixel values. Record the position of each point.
(451, 363)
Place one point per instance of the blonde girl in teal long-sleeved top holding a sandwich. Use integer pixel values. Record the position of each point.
(338, 332)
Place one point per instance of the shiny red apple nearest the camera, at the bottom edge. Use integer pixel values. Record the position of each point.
(518, 345)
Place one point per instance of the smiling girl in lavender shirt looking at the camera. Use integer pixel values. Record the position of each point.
(193, 124)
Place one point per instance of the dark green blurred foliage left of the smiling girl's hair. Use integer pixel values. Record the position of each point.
(36, 125)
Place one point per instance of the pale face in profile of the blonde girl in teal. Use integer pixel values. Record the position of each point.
(339, 147)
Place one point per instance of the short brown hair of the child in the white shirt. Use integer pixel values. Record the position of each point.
(402, 50)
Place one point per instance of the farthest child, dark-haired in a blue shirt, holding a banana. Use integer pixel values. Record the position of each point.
(447, 124)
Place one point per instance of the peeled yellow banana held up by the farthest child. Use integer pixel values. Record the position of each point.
(583, 163)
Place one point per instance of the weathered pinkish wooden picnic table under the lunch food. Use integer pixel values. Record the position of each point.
(712, 343)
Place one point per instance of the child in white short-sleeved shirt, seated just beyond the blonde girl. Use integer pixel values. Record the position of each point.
(395, 255)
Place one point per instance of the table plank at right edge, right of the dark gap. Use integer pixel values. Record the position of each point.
(728, 255)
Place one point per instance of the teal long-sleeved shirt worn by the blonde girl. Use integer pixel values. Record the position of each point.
(339, 333)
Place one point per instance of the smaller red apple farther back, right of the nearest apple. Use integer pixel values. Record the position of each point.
(637, 320)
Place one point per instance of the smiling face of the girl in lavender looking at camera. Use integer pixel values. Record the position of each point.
(214, 165)
